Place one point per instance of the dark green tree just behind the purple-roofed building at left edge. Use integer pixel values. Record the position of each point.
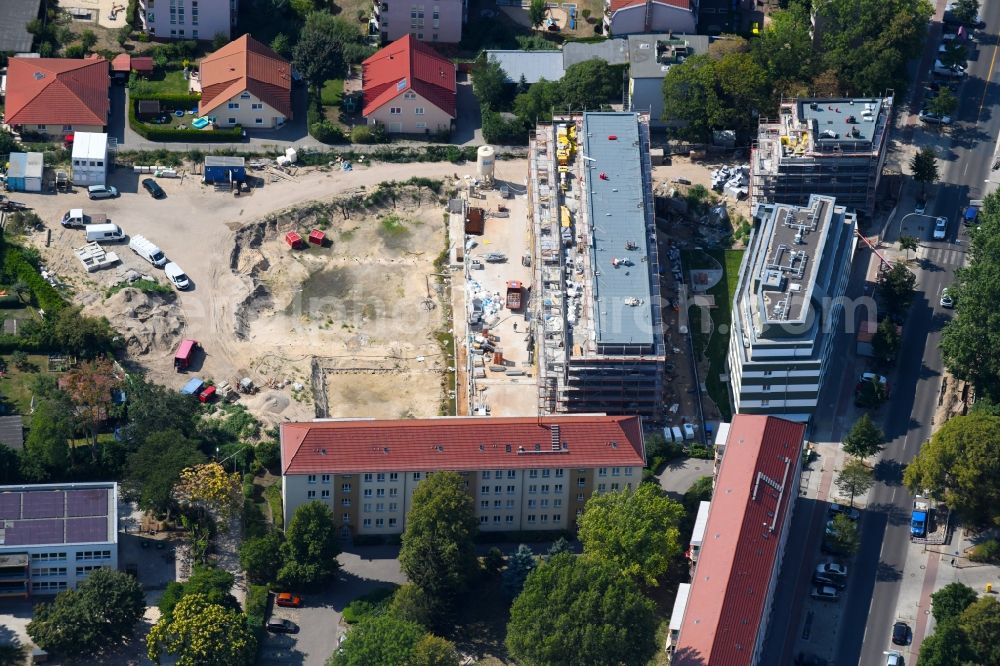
(46, 449)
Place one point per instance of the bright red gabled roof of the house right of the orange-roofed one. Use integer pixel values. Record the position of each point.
(408, 64)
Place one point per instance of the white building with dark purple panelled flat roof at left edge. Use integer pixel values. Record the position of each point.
(53, 535)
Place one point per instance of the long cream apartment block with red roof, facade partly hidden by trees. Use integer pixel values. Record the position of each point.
(523, 472)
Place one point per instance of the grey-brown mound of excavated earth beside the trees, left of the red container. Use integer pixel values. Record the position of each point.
(148, 323)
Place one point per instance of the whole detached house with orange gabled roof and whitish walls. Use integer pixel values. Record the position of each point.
(246, 83)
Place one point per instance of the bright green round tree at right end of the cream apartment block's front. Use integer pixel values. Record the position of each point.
(636, 531)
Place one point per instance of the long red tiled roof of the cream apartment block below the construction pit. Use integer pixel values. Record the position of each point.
(459, 443)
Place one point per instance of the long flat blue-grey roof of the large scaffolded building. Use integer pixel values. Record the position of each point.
(617, 207)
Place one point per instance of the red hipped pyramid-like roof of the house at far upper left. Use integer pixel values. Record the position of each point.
(57, 91)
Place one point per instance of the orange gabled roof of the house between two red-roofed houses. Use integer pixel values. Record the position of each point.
(246, 65)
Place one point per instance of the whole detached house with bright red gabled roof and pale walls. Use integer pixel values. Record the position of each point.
(409, 88)
